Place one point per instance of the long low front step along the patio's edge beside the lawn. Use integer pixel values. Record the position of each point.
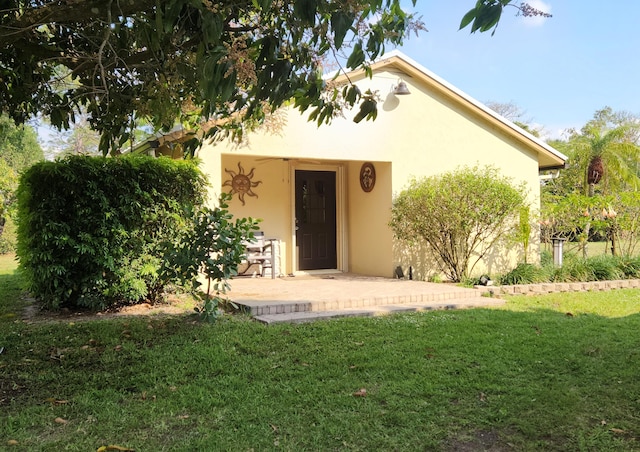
(300, 316)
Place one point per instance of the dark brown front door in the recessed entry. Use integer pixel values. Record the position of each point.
(316, 219)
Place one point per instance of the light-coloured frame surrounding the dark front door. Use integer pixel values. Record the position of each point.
(341, 232)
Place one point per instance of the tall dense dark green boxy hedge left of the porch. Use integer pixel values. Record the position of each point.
(92, 231)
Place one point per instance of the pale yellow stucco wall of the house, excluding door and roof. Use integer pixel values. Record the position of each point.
(421, 134)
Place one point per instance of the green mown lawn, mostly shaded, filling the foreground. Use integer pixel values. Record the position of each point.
(555, 372)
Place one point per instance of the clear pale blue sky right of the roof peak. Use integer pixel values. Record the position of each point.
(559, 71)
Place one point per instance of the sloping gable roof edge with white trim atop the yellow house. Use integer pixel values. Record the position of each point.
(400, 61)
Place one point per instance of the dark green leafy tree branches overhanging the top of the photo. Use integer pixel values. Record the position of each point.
(193, 60)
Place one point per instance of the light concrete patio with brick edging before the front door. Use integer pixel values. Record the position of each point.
(312, 297)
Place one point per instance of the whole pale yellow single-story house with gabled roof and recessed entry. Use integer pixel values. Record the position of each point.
(325, 193)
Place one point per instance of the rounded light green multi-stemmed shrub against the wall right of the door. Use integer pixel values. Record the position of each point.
(461, 215)
